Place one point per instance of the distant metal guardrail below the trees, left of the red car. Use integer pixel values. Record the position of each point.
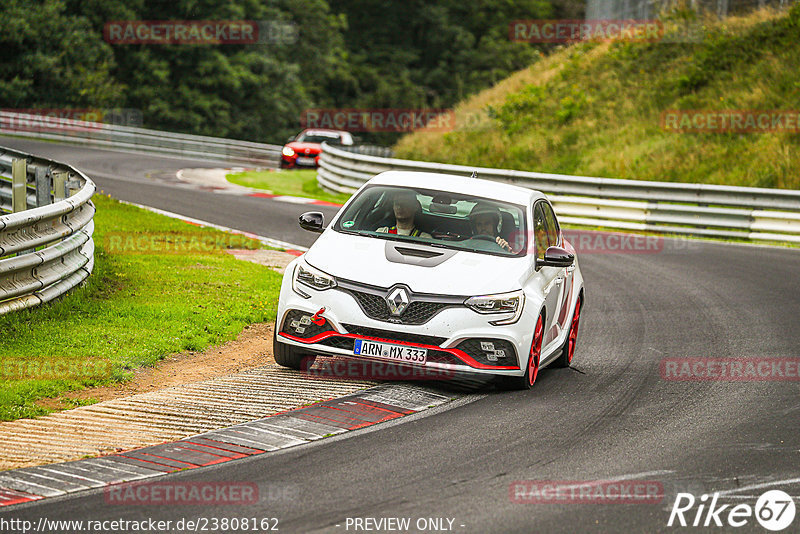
(138, 139)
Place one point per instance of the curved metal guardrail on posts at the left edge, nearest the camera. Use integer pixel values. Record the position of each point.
(46, 245)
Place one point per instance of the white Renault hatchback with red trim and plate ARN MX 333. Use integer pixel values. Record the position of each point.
(454, 274)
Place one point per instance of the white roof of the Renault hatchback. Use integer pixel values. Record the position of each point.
(512, 194)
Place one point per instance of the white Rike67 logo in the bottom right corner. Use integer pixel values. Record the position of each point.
(774, 510)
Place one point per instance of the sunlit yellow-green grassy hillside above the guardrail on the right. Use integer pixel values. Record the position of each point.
(595, 109)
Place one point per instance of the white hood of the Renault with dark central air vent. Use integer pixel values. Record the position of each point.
(364, 259)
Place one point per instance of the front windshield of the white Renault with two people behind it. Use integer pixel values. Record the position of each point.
(437, 218)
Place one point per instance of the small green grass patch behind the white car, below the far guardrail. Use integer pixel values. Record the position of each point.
(302, 183)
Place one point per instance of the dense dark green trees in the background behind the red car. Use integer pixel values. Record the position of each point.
(351, 53)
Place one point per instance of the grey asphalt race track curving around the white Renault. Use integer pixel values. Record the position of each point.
(610, 417)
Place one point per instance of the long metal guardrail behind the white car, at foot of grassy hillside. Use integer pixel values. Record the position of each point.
(664, 207)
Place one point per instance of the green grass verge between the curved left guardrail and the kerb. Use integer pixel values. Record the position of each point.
(135, 308)
